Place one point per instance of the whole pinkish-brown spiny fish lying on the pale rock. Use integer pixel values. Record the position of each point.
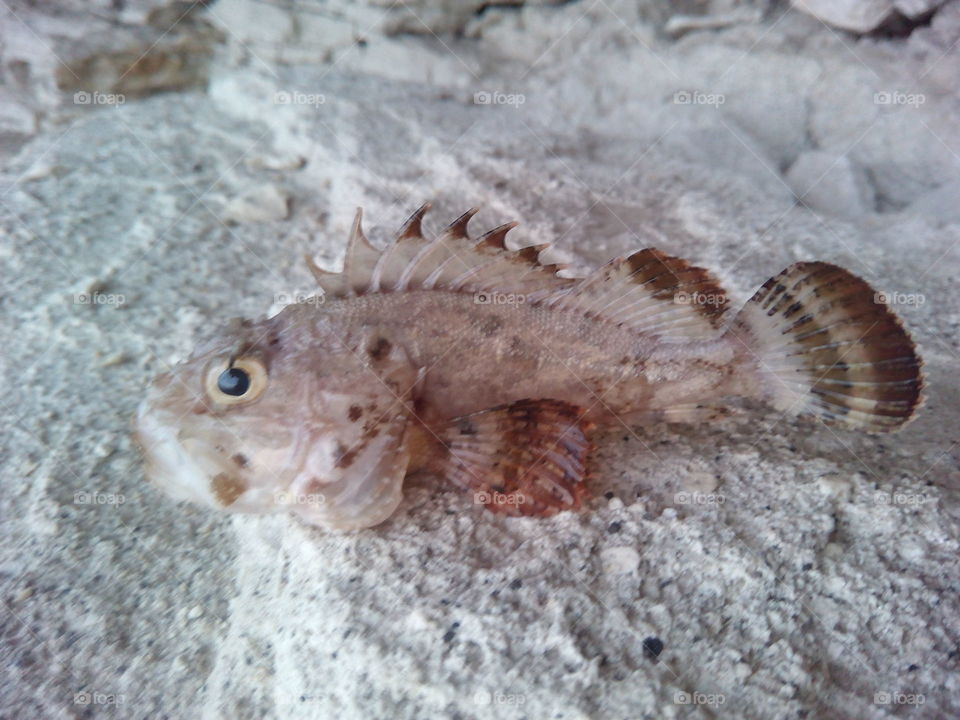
(492, 369)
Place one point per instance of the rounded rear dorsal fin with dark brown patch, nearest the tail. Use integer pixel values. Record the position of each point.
(651, 292)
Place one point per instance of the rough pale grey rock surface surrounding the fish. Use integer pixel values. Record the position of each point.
(165, 165)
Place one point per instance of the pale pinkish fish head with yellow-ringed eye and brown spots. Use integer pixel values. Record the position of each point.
(283, 415)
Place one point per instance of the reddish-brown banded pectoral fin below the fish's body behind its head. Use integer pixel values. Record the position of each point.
(525, 458)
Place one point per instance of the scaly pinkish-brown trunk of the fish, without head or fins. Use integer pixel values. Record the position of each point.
(479, 355)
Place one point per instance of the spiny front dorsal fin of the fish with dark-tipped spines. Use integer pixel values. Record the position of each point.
(450, 261)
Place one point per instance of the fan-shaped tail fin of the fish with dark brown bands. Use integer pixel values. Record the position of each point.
(830, 347)
